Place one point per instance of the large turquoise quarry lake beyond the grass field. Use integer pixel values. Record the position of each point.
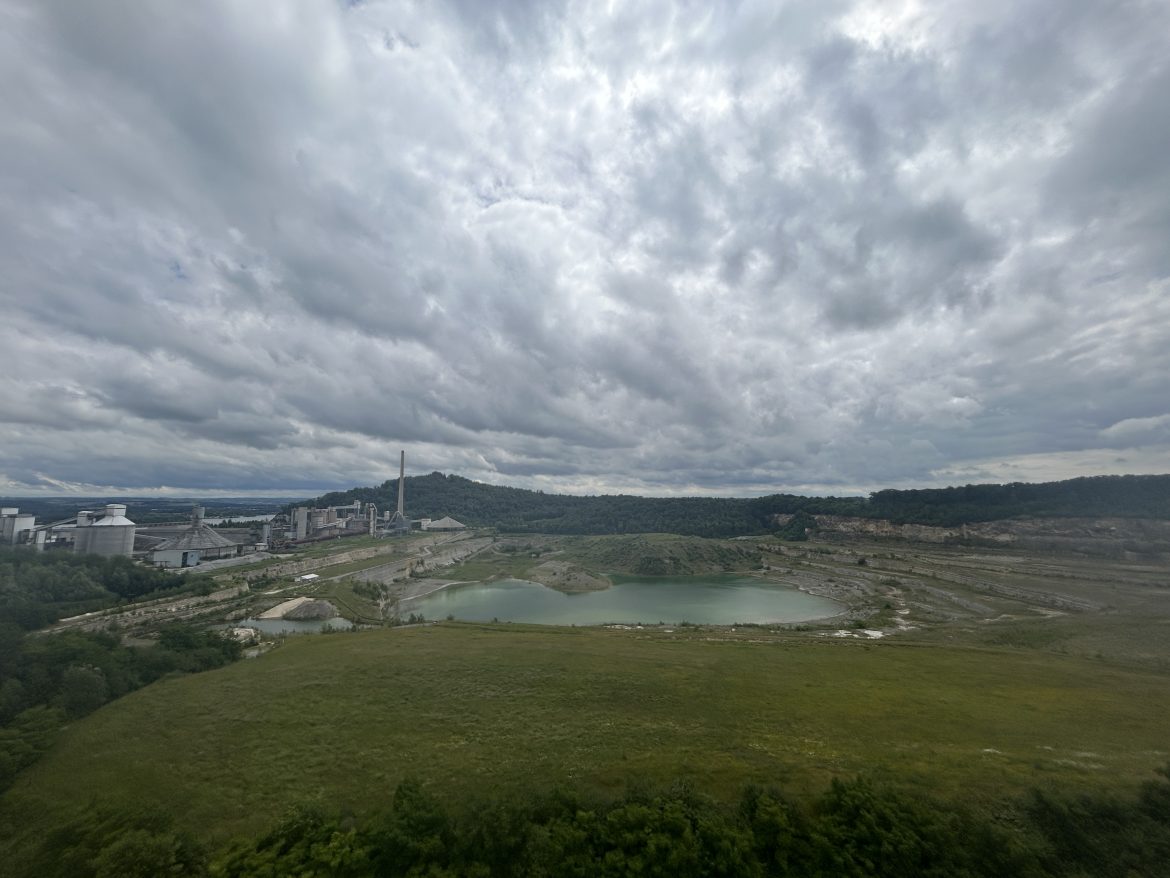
(707, 600)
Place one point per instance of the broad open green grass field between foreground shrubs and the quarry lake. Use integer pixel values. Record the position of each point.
(474, 711)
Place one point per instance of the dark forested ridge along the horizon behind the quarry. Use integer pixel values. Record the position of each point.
(517, 510)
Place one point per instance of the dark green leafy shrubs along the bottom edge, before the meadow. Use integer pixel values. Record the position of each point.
(854, 829)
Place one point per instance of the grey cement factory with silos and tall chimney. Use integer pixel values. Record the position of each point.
(111, 533)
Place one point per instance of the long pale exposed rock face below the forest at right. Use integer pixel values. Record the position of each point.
(1113, 538)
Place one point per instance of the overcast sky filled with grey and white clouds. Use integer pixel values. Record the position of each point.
(662, 249)
